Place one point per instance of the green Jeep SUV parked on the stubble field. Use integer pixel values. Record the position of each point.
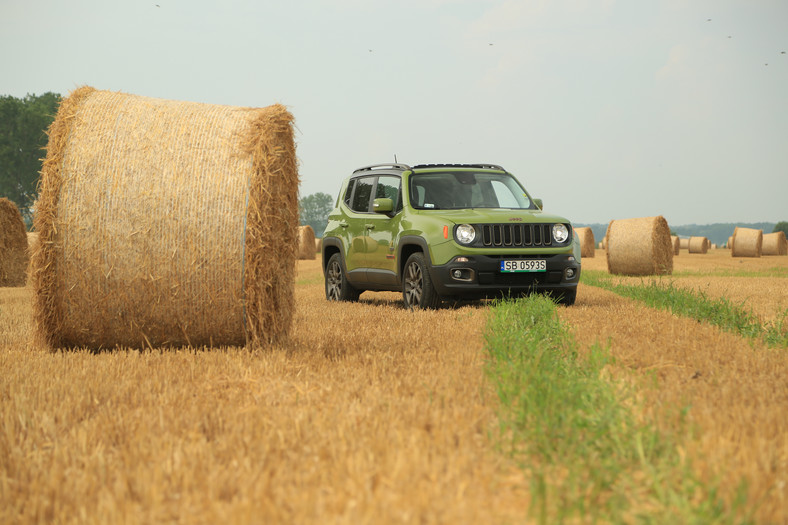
(445, 231)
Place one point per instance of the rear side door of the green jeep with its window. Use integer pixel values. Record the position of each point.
(358, 202)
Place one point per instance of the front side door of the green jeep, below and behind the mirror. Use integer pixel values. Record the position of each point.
(382, 232)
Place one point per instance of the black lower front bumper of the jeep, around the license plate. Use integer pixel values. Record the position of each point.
(481, 276)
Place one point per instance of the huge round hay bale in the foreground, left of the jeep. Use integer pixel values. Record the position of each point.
(165, 223)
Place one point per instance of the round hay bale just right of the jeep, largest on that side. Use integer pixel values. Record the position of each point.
(640, 246)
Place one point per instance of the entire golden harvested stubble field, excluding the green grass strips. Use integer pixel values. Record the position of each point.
(368, 413)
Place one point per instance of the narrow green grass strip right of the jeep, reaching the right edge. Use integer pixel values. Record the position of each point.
(696, 305)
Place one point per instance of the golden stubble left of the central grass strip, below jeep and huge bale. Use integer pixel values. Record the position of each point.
(371, 413)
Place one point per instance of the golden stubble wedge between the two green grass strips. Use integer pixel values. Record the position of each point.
(734, 391)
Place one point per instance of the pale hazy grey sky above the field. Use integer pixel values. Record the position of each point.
(605, 109)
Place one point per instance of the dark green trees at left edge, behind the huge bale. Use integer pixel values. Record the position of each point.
(23, 125)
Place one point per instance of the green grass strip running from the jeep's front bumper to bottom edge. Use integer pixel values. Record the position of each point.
(589, 458)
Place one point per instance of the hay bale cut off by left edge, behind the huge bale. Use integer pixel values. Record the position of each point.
(14, 256)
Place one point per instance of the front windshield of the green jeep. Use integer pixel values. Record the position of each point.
(451, 190)
